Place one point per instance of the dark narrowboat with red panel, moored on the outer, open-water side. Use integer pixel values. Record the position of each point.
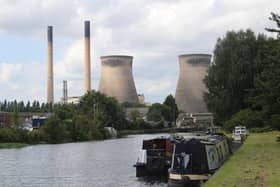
(155, 156)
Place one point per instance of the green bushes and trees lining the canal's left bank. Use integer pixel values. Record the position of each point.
(82, 122)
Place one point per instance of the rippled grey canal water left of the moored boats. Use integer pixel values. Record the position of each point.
(97, 163)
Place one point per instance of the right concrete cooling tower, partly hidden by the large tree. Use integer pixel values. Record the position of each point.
(190, 86)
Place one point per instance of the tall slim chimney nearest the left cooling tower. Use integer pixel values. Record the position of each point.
(87, 57)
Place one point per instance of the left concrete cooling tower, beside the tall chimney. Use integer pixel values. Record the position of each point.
(116, 78)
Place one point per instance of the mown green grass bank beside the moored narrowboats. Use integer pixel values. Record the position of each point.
(256, 164)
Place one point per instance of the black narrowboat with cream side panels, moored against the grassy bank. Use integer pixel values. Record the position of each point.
(197, 158)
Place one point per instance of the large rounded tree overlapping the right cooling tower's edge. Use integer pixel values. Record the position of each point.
(232, 75)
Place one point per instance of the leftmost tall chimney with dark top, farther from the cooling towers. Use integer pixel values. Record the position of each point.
(50, 98)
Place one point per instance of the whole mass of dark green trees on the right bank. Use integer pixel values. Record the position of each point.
(243, 82)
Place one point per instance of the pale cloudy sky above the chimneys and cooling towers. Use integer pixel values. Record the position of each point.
(153, 32)
